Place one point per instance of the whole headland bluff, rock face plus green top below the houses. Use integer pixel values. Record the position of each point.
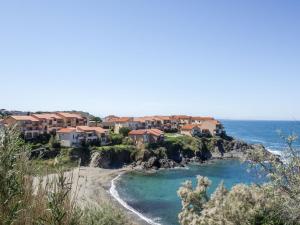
(173, 152)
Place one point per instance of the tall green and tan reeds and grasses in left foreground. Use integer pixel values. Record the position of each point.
(28, 200)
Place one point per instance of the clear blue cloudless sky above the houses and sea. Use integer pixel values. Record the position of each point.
(230, 59)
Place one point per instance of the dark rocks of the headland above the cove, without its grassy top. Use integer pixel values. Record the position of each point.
(209, 149)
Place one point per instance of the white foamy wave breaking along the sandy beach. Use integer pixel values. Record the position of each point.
(113, 191)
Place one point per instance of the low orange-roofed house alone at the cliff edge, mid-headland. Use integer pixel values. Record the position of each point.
(146, 136)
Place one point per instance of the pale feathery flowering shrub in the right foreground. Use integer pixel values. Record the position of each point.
(277, 202)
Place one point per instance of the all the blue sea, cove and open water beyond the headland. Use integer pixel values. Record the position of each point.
(153, 196)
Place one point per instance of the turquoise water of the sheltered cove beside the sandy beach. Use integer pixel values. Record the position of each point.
(154, 195)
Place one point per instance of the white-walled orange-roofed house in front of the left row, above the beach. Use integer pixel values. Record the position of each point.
(75, 136)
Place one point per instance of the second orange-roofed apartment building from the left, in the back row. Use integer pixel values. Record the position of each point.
(50, 122)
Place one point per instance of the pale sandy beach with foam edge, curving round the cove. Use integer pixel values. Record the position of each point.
(97, 185)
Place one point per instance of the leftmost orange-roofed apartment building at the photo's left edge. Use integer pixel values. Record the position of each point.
(29, 126)
